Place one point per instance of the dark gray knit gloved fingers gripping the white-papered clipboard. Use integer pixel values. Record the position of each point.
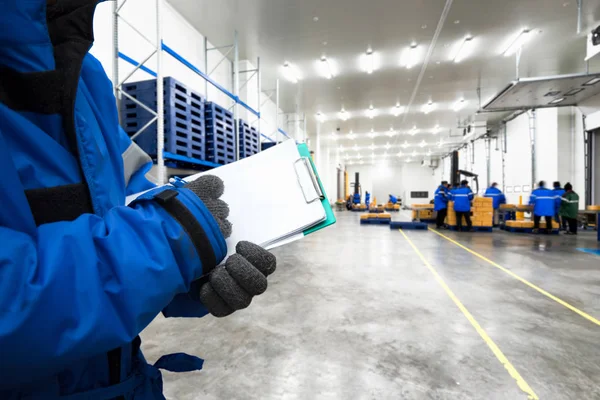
(231, 287)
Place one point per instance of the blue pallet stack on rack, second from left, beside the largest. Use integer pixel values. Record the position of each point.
(220, 134)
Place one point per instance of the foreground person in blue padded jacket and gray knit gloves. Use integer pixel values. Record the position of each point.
(81, 273)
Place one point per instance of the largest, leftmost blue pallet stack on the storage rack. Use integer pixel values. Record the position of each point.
(185, 130)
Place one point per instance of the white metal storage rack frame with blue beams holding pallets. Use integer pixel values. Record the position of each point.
(158, 47)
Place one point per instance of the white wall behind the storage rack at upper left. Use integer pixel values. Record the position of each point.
(182, 37)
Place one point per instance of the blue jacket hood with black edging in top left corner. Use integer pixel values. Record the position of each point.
(26, 43)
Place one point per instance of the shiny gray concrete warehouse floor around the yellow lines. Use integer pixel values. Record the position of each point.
(353, 313)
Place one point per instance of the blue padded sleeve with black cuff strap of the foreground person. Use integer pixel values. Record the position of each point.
(81, 288)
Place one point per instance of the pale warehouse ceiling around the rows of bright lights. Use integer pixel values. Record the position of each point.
(285, 30)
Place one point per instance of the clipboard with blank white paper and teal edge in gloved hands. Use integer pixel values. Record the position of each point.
(275, 197)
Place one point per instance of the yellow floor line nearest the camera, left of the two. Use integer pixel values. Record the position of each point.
(486, 338)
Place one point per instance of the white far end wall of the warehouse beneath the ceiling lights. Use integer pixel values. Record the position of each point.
(383, 179)
